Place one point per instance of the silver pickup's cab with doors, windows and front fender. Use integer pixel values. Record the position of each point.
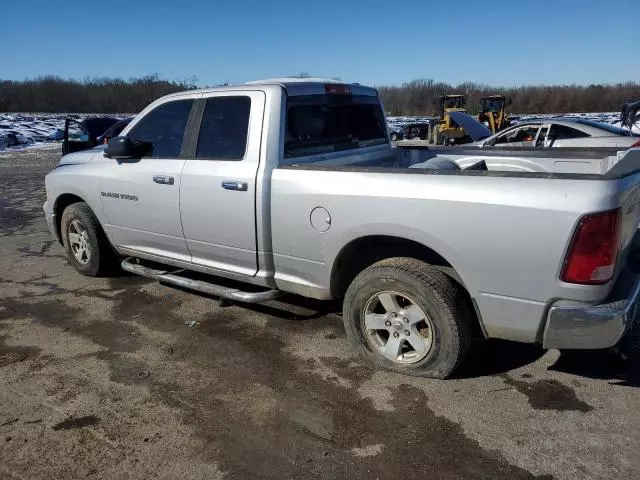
(186, 180)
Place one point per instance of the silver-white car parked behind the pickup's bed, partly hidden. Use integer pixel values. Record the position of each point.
(562, 132)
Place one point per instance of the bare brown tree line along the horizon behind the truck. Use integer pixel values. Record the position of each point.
(418, 97)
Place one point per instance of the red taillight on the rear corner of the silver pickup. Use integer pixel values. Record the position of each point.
(591, 260)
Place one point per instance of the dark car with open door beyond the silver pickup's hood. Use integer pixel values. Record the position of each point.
(87, 133)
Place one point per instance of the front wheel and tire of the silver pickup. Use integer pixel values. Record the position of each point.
(99, 257)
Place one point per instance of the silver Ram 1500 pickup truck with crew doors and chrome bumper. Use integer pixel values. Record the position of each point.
(250, 191)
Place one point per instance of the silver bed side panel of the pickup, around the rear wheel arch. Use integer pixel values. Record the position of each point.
(505, 236)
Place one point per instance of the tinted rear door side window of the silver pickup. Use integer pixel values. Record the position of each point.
(224, 128)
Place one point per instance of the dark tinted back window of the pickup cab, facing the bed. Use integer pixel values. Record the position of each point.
(328, 123)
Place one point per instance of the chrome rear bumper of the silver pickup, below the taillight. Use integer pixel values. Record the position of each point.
(593, 326)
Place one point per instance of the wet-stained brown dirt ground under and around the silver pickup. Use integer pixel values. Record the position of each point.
(105, 379)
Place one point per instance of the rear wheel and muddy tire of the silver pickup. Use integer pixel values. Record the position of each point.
(447, 335)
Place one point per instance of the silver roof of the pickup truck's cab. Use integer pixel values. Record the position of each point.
(293, 86)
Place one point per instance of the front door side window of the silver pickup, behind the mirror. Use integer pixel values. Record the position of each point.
(164, 128)
